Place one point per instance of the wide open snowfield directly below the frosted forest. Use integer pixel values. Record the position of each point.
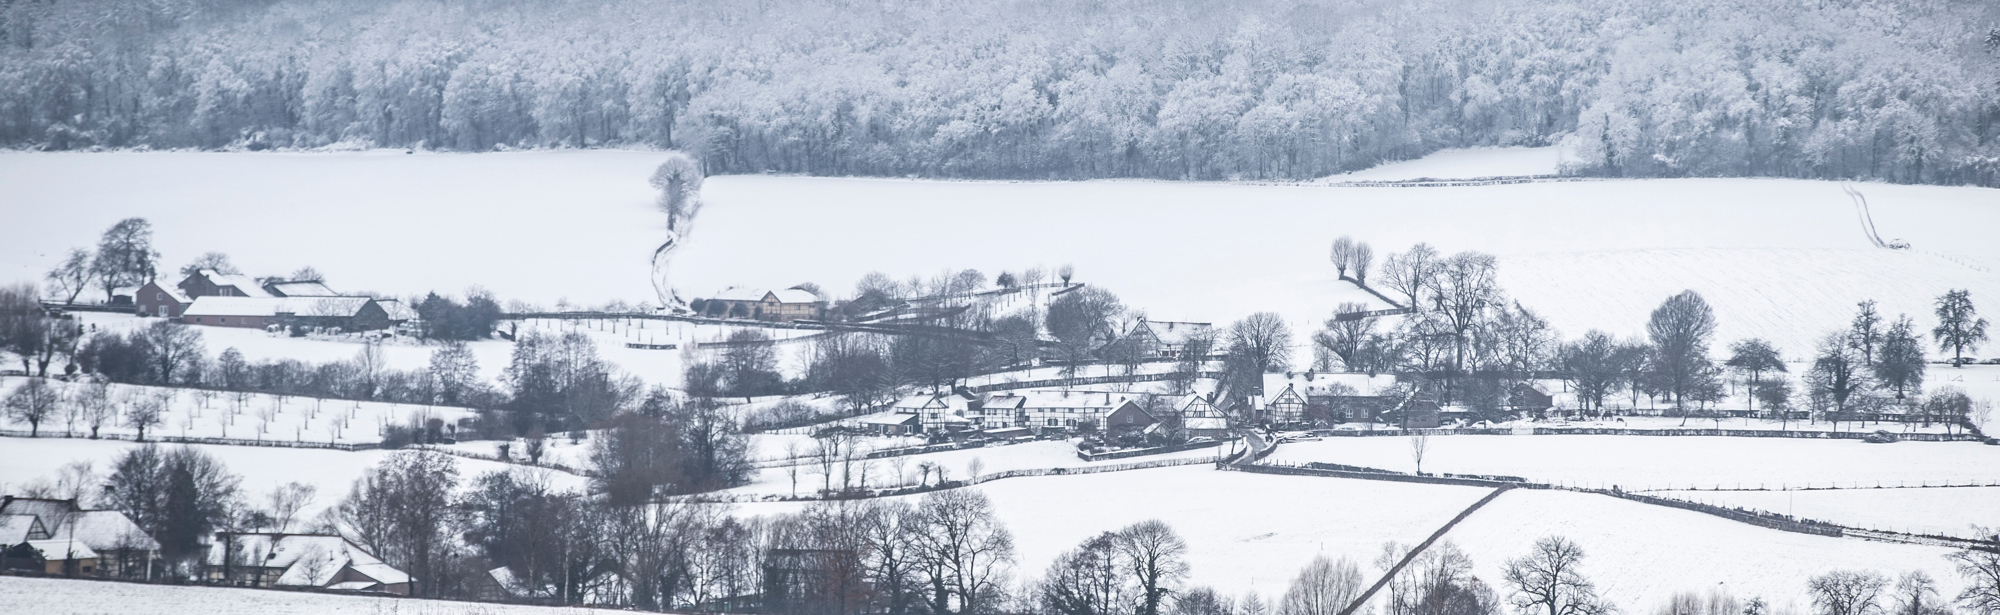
(1779, 259)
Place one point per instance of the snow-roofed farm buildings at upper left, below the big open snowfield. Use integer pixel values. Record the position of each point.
(233, 301)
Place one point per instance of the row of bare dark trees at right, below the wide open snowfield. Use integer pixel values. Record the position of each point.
(1467, 342)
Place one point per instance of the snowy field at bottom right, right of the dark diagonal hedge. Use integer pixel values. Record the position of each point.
(1639, 554)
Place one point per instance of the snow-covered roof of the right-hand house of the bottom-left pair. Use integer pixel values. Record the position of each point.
(307, 560)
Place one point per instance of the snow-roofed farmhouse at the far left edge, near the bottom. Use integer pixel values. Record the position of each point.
(87, 542)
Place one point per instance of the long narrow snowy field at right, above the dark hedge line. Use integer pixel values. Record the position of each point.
(1665, 462)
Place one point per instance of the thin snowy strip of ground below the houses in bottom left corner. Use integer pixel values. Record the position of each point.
(109, 598)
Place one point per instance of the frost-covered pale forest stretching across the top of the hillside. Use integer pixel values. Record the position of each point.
(1901, 91)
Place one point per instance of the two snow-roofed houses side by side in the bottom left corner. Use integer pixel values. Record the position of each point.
(59, 538)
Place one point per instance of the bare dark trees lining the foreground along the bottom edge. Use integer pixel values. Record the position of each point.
(945, 552)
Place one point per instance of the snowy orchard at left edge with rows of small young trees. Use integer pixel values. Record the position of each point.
(249, 416)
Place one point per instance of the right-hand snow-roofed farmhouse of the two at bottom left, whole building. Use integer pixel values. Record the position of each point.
(301, 560)
